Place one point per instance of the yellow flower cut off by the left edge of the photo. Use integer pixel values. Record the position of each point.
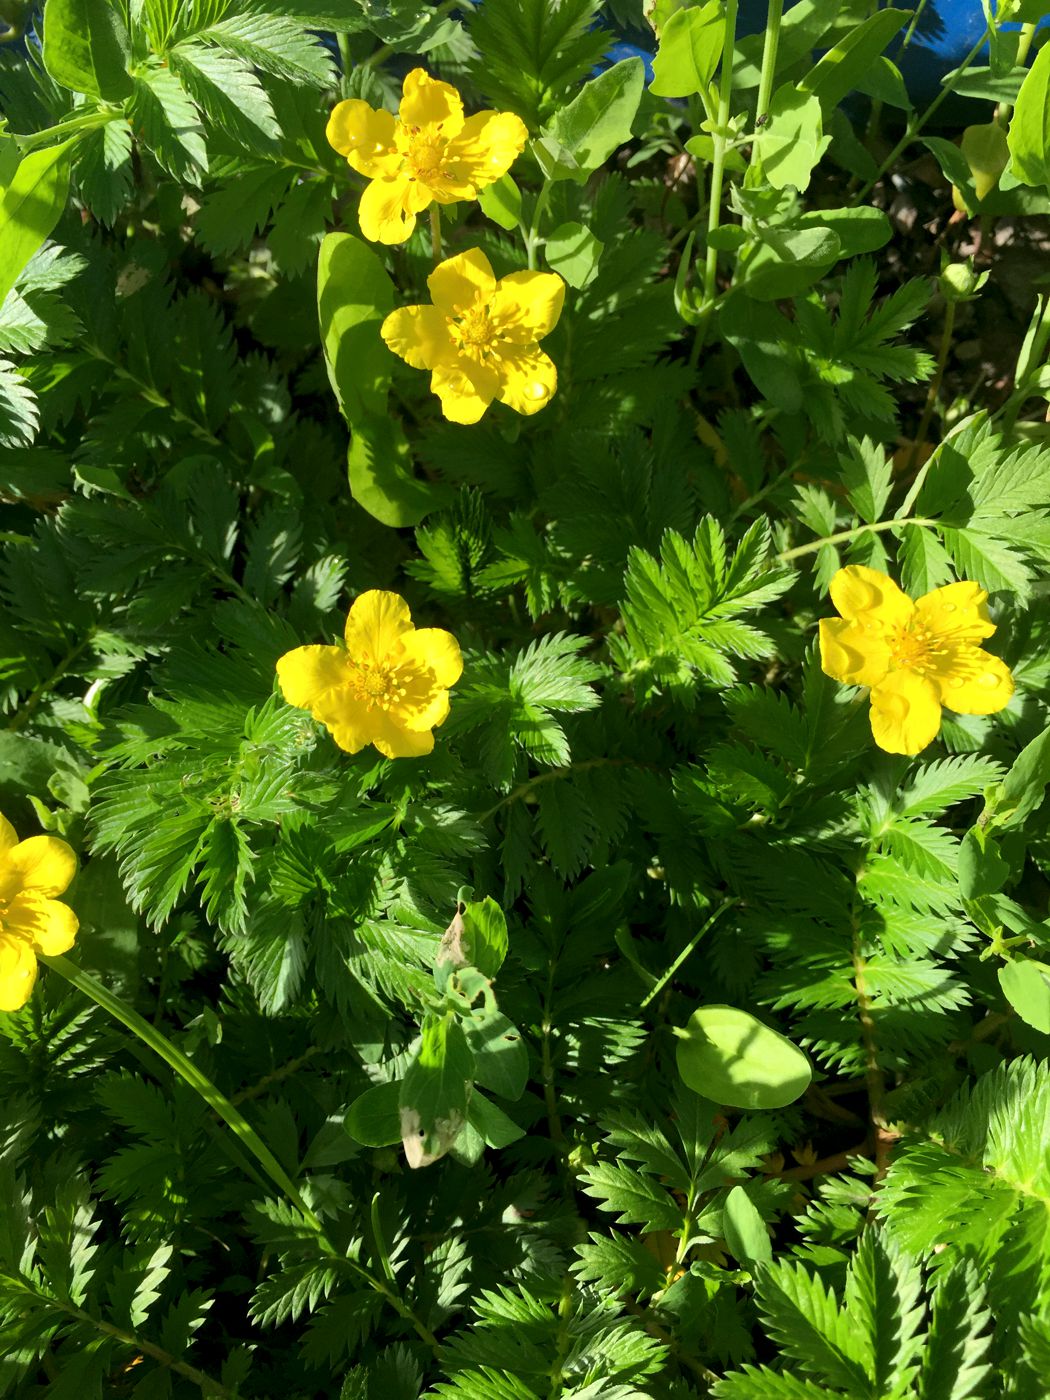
(31, 920)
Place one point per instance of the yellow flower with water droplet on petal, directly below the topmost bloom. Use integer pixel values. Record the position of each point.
(481, 337)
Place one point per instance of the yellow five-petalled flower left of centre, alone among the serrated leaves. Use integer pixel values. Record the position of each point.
(388, 687)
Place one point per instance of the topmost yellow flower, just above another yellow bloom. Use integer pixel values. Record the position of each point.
(429, 152)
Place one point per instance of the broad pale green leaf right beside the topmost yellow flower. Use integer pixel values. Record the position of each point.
(587, 131)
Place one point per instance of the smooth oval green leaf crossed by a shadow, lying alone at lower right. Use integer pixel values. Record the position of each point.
(737, 1060)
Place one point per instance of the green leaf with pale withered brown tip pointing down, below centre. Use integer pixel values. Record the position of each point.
(436, 1091)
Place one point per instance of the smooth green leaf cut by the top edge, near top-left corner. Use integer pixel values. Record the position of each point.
(86, 48)
